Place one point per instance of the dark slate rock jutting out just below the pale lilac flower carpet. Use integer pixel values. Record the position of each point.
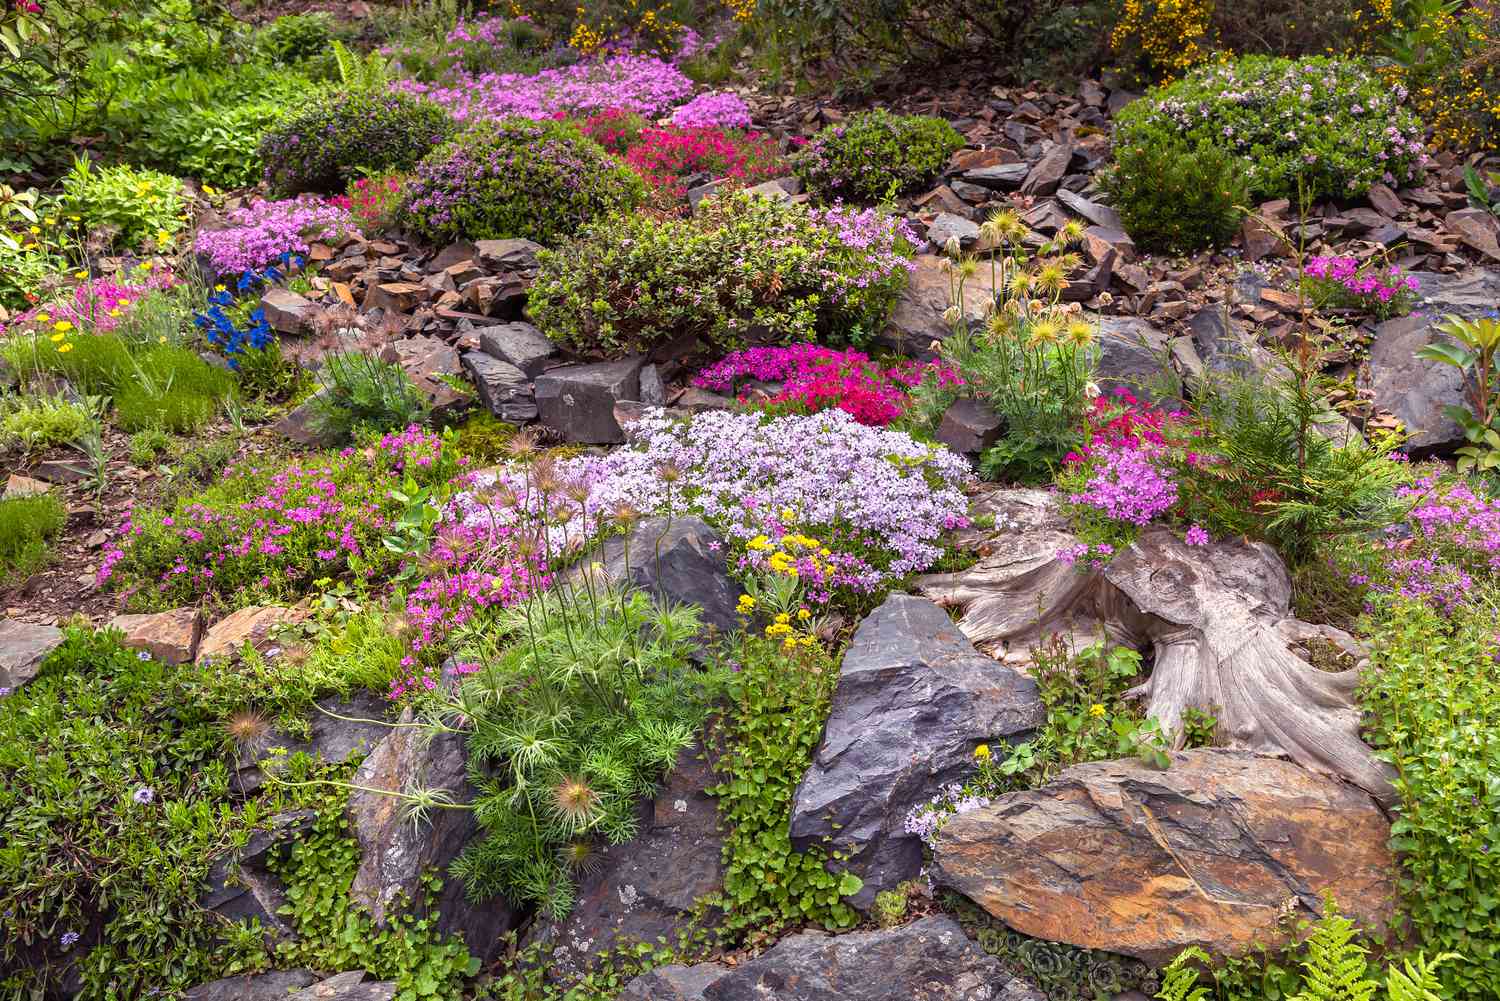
(674, 561)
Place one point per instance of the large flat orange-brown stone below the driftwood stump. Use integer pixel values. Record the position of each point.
(1208, 853)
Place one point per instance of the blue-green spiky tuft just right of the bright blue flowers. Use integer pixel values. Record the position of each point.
(362, 394)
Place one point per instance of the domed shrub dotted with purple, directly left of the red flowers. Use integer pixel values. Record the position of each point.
(541, 181)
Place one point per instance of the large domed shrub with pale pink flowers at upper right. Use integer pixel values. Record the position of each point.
(1324, 127)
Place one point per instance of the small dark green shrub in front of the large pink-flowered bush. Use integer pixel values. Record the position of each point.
(1177, 197)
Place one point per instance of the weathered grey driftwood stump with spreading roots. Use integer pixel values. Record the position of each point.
(1216, 619)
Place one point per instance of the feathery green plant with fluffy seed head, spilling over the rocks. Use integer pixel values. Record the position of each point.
(583, 699)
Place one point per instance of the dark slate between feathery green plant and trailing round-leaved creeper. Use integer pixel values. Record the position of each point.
(646, 888)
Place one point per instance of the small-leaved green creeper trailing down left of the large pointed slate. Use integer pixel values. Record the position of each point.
(779, 702)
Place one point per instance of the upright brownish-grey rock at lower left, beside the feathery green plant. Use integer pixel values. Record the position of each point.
(397, 855)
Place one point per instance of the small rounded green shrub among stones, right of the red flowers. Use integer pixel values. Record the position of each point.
(877, 155)
